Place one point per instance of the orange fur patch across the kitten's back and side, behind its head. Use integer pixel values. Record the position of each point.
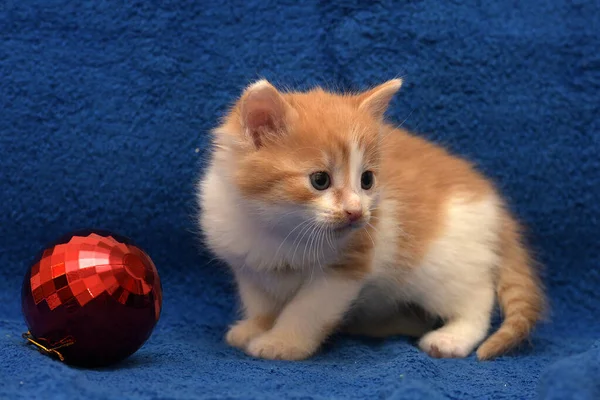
(422, 177)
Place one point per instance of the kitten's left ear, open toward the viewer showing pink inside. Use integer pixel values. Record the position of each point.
(264, 112)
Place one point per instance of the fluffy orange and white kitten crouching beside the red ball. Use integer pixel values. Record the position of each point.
(331, 219)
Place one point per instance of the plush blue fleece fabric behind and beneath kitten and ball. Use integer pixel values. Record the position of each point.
(104, 112)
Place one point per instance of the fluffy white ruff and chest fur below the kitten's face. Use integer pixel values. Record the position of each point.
(249, 247)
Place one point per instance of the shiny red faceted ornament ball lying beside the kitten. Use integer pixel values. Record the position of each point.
(92, 298)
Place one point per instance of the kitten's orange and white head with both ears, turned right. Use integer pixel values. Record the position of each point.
(308, 156)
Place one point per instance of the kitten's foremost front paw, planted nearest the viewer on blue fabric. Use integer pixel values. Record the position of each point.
(277, 347)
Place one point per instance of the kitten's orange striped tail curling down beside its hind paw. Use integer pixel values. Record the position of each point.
(520, 294)
